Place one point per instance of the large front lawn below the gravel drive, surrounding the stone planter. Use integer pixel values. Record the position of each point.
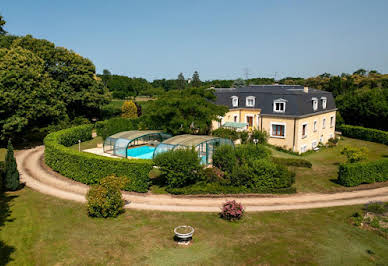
(48, 231)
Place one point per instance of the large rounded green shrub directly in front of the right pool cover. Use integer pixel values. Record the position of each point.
(179, 168)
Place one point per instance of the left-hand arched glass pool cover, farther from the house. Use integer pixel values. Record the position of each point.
(119, 143)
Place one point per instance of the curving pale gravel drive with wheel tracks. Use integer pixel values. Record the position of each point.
(40, 178)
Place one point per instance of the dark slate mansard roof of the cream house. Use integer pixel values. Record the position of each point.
(298, 103)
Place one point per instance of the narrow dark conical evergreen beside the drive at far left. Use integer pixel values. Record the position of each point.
(11, 181)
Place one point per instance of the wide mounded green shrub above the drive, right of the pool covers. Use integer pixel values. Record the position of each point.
(261, 174)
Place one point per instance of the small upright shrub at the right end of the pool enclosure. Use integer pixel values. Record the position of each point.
(224, 157)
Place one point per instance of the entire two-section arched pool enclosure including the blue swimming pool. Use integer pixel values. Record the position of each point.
(141, 144)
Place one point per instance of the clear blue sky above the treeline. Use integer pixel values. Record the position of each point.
(159, 39)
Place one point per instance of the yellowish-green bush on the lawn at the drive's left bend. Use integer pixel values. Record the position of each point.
(105, 200)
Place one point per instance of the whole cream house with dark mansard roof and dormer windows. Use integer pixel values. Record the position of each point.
(296, 117)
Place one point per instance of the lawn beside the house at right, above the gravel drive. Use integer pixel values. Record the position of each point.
(322, 176)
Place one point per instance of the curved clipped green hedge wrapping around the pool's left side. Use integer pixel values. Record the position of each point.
(90, 168)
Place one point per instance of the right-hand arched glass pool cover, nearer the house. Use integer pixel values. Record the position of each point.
(204, 145)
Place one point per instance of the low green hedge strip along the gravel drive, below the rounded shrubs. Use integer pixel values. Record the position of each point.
(216, 188)
